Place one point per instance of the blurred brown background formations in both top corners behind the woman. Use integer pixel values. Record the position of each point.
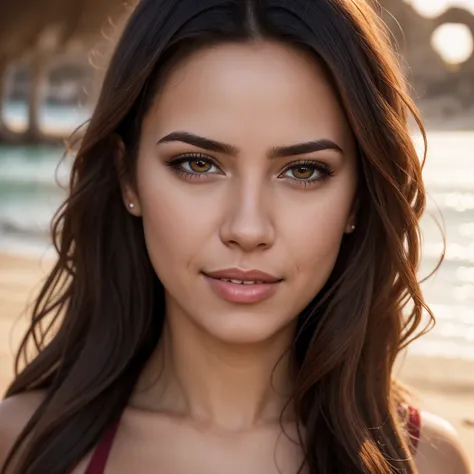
(39, 30)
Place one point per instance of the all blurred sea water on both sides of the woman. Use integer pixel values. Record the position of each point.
(29, 195)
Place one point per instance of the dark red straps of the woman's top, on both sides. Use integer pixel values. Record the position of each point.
(101, 454)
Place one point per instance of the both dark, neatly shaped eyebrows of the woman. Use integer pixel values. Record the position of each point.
(275, 152)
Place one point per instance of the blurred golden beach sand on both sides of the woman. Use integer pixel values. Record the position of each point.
(444, 387)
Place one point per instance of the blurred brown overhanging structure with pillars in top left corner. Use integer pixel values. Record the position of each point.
(38, 30)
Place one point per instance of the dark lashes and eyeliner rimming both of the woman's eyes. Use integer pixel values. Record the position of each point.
(322, 168)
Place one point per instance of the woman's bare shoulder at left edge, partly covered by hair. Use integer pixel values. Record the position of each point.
(15, 412)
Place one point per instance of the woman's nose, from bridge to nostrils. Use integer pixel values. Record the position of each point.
(248, 223)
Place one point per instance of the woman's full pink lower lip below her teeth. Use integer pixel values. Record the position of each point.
(240, 293)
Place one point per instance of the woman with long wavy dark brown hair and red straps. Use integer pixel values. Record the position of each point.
(240, 239)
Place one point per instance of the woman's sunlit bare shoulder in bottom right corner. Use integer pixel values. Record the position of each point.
(439, 449)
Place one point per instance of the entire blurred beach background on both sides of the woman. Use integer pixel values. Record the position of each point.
(53, 54)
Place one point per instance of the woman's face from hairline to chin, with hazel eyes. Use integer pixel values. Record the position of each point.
(246, 162)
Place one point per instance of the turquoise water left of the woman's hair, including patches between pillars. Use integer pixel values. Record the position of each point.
(30, 178)
